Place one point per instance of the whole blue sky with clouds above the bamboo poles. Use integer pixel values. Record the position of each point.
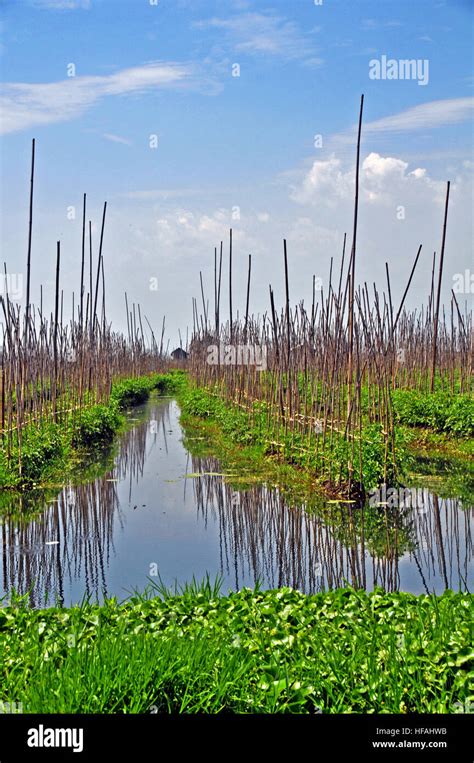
(234, 150)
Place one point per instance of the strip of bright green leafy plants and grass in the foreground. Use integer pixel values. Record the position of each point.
(251, 651)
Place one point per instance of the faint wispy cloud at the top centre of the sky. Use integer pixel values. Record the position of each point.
(266, 34)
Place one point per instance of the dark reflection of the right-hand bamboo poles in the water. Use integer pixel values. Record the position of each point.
(262, 537)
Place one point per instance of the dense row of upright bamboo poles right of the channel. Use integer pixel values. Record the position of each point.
(333, 366)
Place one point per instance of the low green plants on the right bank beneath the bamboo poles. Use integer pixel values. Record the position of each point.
(430, 428)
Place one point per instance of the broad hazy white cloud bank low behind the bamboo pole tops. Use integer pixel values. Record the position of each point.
(174, 240)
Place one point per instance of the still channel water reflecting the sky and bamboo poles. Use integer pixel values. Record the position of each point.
(112, 534)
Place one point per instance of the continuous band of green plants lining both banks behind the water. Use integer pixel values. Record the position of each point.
(48, 449)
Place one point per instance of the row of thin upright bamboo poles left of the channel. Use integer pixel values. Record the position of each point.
(53, 365)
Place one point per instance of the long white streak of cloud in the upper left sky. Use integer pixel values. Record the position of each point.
(30, 105)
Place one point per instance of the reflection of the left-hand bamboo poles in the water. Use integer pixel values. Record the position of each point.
(73, 537)
